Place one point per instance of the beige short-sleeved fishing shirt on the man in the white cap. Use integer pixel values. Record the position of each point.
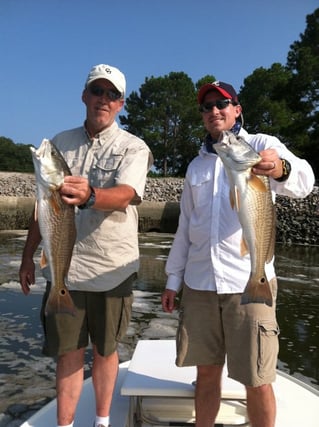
(106, 250)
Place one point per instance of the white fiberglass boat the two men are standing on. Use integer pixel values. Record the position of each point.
(151, 392)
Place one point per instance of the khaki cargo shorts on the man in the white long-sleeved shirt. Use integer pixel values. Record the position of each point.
(212, 326)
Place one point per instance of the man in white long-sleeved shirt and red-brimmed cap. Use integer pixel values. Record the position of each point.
(206, 264)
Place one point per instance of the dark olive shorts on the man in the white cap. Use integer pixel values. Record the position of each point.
(101, 317)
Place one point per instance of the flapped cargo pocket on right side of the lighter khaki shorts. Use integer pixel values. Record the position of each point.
(268, 344)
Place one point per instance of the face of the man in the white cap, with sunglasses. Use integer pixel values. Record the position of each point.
(101, 107)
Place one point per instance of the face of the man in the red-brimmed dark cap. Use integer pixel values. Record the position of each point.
(215, 120)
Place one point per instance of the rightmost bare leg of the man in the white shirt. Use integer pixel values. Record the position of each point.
(261, 406)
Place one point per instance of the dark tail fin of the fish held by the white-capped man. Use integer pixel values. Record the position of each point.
(59, 301)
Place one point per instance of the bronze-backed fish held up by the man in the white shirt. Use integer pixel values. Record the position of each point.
(251, 196)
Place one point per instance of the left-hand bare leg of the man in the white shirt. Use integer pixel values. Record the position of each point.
(207, 394)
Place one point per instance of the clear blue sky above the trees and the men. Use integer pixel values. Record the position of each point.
(48, 47)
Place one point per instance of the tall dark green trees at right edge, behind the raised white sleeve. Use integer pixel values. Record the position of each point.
(284, 100)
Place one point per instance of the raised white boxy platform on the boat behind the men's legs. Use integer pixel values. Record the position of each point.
(161, 392)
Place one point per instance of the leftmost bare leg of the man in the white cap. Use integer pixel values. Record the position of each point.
(69, 381)
